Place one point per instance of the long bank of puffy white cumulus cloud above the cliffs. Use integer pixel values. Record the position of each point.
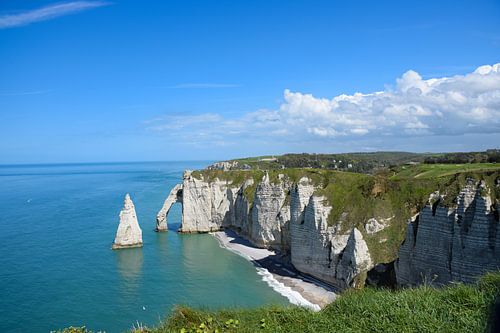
(413, 107)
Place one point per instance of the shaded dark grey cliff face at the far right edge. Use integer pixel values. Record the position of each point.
(457, 244)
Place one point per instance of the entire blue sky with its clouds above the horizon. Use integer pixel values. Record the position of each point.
(104, 81)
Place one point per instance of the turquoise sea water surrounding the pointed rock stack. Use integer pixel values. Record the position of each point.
(57, 224)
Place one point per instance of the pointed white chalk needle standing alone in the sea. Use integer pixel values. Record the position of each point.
(129, 234)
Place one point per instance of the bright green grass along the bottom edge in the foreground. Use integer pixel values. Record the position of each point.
(455, 308)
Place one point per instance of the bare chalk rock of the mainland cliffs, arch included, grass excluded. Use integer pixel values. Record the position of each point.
(442, 244)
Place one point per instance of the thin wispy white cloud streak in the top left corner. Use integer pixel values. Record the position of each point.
(47, 13)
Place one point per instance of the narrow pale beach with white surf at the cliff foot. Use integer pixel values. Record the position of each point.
(299, 289)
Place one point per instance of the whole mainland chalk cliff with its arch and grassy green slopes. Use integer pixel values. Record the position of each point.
(340, 236)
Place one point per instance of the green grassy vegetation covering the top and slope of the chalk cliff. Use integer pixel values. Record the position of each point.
(392, 196)
